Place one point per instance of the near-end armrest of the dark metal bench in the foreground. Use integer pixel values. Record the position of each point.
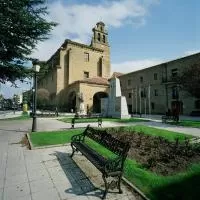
(114, 165)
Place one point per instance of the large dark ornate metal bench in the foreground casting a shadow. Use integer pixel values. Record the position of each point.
(108, 167)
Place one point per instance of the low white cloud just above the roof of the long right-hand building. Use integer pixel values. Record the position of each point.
(134, 65)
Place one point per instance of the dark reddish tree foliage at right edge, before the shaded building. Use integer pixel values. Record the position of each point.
(190, 80)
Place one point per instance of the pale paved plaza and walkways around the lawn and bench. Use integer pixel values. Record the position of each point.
(50, 173)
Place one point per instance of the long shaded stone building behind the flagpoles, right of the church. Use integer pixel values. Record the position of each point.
(152, 90)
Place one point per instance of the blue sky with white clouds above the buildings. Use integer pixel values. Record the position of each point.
(142, 33)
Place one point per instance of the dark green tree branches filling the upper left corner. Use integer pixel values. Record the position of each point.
(23, 25)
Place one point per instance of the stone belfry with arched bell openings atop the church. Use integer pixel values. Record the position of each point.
(100, 36)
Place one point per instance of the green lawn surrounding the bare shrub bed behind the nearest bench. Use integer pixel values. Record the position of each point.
(180, 186)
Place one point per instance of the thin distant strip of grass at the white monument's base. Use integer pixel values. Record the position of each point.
(82, 120)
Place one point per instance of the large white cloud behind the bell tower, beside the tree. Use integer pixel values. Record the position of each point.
(77, 20)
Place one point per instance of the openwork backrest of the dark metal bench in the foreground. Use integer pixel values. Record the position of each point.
(108, 141)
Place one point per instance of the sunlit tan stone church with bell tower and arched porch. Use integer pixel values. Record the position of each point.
(78, 71)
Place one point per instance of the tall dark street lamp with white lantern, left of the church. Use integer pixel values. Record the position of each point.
(36, 69)
